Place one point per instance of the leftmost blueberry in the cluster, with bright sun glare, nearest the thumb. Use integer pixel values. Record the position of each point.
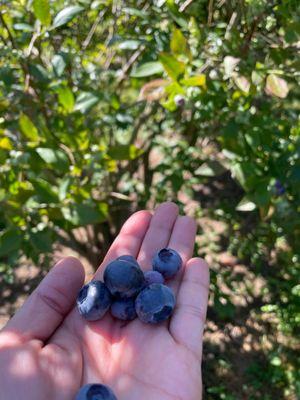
(93, 300)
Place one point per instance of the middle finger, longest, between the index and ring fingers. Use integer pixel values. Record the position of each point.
(158, 233)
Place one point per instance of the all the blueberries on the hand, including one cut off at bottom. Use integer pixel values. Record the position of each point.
(129, 293)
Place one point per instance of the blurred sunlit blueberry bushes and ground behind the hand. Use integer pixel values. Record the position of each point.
(111, 106)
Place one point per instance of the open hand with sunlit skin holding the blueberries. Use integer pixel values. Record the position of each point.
(47, 350)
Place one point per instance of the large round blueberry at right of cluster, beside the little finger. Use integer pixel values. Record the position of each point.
(155, 303)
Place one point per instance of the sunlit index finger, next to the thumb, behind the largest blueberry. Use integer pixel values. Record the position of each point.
(129, 239)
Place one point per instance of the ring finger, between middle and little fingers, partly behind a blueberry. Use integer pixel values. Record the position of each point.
(182, 240)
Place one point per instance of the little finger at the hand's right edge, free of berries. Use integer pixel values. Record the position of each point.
(188, 320)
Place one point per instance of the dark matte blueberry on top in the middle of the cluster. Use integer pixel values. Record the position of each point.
(123, 279)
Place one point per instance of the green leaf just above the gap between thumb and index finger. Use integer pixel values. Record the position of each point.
(84, 214)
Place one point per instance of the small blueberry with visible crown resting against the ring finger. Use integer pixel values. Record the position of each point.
(168, 262)
